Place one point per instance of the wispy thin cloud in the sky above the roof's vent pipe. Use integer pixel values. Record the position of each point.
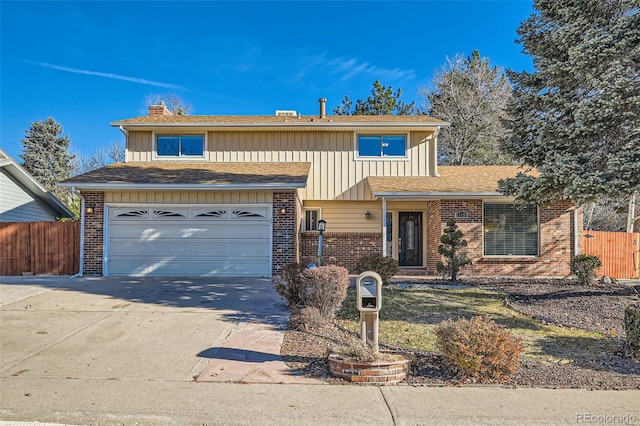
(347, 69)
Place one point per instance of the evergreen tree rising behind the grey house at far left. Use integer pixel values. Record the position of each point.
(45, 155)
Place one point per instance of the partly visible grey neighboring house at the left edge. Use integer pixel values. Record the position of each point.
(23, 199)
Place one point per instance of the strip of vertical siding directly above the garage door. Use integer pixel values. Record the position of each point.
(189, 197)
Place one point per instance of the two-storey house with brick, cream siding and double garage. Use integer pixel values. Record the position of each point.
(242, 196)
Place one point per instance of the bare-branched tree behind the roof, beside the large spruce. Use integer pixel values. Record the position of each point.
(472, 95)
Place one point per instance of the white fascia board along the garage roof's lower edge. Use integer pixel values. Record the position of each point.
(191, 187)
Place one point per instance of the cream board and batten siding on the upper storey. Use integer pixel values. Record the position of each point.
(335, 173)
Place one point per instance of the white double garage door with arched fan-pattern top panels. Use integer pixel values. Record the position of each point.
(189, 241)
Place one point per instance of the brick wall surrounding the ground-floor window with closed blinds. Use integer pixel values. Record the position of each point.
(556, 241)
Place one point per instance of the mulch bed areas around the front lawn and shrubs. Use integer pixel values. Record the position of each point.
(560, 302)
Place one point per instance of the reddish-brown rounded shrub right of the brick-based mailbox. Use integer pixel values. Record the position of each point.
(479, 347)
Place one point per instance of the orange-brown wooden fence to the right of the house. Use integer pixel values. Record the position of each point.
(619, 252)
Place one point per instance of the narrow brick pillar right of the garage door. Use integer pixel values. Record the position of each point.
(285, 236)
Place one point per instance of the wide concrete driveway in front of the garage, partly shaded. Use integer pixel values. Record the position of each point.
(122, 328)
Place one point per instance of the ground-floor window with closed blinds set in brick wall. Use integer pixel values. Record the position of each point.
(510, 230)
